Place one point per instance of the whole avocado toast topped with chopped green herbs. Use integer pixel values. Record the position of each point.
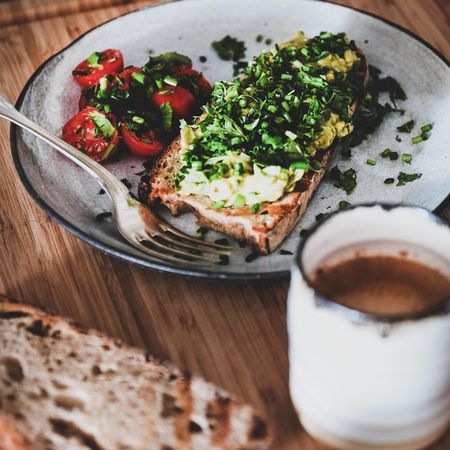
(250, 163)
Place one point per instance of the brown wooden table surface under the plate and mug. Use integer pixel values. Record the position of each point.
(231, 333)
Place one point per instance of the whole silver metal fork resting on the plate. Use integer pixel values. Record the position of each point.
(140, 226)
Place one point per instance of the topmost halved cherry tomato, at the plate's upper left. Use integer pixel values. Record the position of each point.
(95, 66)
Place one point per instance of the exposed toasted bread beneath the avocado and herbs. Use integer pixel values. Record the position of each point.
(264, 230)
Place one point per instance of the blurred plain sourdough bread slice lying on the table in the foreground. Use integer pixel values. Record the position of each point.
(62, 387)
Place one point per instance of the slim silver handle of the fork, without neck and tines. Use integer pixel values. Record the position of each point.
(109, 182)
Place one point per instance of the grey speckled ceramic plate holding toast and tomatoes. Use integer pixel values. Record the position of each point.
(71, 196)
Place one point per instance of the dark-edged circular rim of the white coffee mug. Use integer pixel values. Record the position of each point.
(442, 308)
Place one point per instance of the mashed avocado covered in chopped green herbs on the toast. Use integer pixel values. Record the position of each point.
(262, 132)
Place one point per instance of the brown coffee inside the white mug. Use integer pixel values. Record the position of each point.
(382, 284)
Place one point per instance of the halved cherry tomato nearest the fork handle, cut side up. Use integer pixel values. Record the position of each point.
(84, 132)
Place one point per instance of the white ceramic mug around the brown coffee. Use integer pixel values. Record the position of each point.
(358, 380)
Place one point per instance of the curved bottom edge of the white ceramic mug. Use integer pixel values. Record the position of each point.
(336, 442)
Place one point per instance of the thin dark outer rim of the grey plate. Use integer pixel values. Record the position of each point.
(161, 266)
